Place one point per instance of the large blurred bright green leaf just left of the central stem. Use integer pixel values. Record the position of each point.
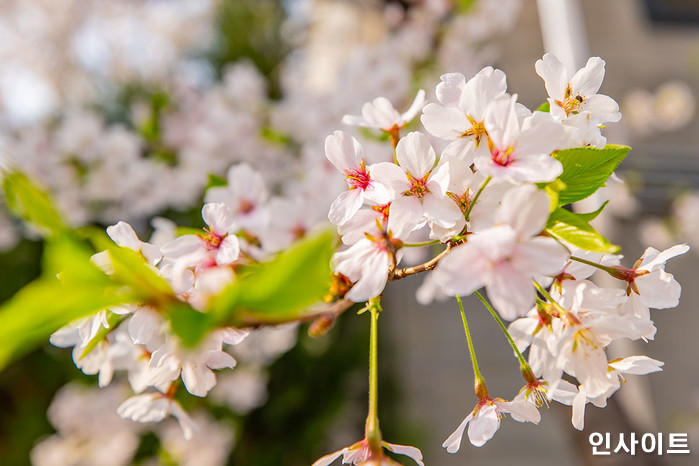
(282, 289)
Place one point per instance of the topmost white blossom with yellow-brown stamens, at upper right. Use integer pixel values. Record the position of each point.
(579, 94)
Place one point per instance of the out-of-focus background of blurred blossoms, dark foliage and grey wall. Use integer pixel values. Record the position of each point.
(124, 110)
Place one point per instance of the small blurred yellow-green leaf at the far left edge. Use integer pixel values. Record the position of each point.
(32, 203)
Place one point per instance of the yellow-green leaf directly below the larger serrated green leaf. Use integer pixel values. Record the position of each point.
(575, 229)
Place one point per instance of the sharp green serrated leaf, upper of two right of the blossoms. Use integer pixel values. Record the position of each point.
(586, 169)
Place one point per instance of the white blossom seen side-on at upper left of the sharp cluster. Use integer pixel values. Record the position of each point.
(380, 114)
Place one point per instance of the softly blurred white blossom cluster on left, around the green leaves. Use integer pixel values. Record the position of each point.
(244, 224)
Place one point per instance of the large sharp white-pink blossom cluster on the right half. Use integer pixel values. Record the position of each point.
(483, 199)
